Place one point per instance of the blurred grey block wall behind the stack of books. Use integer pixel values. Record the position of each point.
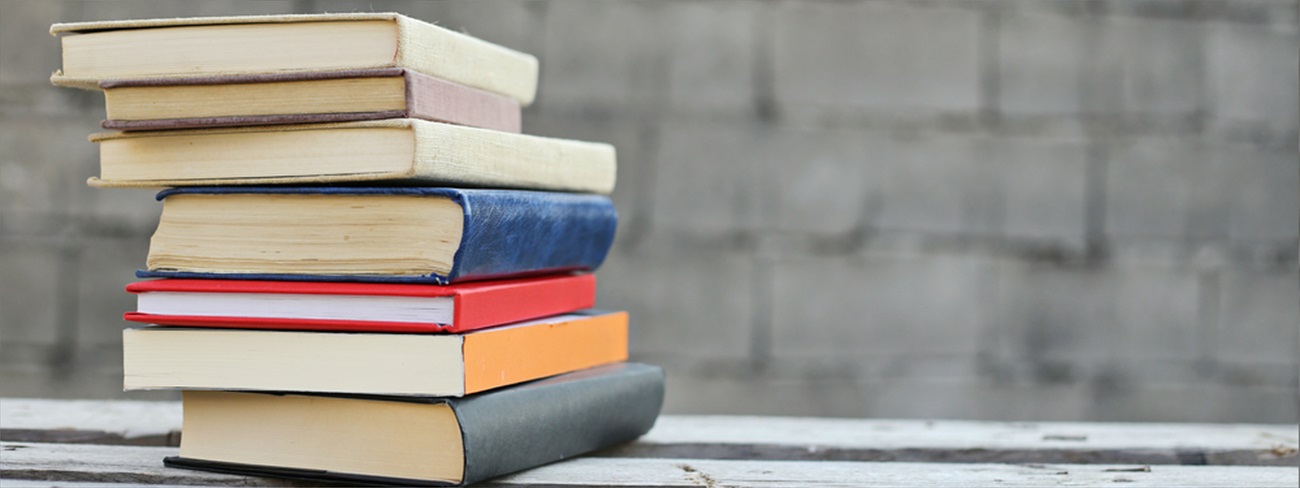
(982, 210)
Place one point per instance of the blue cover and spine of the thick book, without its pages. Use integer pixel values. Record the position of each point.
(506, 232)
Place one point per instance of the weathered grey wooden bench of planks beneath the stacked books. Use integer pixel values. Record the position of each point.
(51, 443)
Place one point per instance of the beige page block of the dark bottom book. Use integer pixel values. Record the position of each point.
(356, 437)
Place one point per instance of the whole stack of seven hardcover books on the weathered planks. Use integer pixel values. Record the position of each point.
(363, 271)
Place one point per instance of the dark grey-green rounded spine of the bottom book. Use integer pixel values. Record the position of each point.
(558, 418)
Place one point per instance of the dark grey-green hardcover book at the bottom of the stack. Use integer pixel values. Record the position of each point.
(419, 442)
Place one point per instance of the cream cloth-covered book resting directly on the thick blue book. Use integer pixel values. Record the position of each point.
(408, 152)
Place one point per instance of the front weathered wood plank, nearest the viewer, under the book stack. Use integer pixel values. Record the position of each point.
(142, 465)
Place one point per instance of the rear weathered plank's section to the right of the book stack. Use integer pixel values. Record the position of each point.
(812, 439)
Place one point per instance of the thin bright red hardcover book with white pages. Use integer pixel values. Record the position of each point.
(358, 306)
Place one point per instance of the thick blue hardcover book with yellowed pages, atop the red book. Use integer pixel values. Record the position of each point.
(397, 235)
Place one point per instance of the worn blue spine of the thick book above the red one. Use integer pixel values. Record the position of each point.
(515, 234)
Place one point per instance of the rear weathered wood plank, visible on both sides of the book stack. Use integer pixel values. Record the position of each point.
(774, 438)
